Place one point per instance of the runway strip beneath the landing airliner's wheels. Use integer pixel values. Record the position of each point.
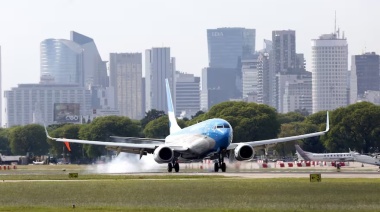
(243, 171)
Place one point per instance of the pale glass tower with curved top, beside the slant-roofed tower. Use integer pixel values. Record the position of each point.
(62, 60)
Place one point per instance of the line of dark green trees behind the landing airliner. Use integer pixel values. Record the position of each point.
(355, 127)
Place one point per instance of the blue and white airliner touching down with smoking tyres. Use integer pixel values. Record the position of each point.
(209, 139)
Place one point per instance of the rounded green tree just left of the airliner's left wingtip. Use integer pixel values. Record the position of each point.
(29, 138)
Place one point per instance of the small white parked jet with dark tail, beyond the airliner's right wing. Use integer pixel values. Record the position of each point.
(331, 157)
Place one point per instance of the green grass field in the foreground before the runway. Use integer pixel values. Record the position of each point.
(184, 193)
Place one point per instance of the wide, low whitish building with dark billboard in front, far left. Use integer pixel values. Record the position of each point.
(35, 103)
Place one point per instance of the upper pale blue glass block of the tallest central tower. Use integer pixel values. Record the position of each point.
(227, 46)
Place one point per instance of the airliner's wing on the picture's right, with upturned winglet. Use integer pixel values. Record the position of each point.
(280, 140)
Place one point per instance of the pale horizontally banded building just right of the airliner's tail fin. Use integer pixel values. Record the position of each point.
(187, 95)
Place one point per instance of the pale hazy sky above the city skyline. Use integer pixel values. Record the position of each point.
(133, 26)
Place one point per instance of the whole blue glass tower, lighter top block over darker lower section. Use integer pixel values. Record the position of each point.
(226, 49)
